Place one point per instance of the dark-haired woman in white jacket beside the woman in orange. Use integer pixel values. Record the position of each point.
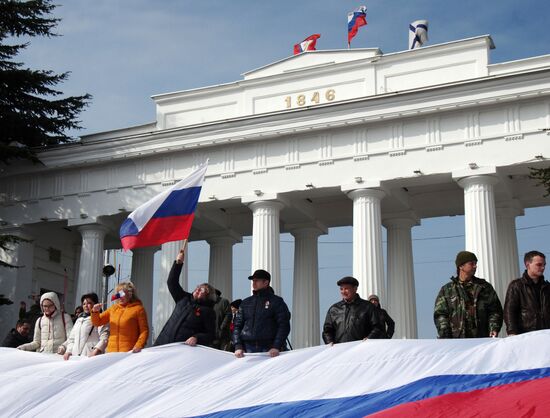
(85, 339)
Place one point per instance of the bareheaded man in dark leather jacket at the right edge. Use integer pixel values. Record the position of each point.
(527, 304)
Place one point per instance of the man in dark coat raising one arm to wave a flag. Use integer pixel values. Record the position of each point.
(193, 320)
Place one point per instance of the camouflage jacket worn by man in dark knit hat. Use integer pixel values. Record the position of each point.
(450, 314)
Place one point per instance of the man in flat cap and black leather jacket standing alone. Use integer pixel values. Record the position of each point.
(351, 319)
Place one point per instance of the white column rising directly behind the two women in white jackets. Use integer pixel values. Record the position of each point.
(90, 272)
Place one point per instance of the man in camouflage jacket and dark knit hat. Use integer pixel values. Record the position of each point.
(467, 307)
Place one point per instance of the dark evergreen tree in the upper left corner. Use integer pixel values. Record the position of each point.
(33, 114)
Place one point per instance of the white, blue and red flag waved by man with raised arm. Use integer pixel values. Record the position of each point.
(166, 217)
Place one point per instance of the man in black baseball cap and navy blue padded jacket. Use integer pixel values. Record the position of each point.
(262, 323)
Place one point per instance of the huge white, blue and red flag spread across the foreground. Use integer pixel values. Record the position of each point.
(383, 378)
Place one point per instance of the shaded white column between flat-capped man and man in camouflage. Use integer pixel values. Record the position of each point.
(400, 281)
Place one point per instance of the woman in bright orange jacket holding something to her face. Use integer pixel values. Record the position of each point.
(127, 319)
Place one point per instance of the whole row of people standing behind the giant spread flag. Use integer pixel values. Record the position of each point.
(466, 307)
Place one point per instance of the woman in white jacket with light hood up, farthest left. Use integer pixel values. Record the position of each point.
(52, 328)
